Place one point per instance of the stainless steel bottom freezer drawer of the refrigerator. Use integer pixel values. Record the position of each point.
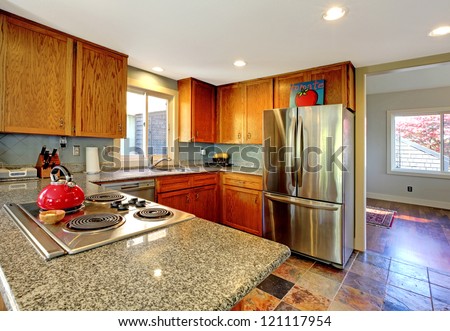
(308, 227)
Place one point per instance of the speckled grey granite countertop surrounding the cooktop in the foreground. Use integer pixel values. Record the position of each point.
(193, 265)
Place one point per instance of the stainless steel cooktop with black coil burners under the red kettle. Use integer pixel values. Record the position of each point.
(102, 219)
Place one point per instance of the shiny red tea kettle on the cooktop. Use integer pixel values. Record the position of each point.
(60, 194)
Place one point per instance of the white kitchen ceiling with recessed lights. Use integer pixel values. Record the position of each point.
(202, 38)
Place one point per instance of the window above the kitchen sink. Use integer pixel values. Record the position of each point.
(148, 127)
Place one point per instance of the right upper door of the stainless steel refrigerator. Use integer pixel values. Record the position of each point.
(319, 144)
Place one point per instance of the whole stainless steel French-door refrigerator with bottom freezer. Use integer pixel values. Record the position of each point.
(309, 181)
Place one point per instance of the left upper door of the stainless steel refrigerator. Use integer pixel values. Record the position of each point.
(279, 131)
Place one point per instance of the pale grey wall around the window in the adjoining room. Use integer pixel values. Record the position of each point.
(426, 191)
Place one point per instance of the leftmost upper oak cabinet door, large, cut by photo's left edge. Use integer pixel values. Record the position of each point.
(36, 79)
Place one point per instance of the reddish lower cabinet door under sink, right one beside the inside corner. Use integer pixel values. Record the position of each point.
(205, 205)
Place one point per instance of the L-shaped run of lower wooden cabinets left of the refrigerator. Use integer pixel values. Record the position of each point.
(240, 204)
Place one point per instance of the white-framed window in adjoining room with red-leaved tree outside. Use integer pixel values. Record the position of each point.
(419, 142)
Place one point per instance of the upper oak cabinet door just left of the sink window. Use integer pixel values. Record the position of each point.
(101, 86)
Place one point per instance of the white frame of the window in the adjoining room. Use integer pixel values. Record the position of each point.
(391, 169)
